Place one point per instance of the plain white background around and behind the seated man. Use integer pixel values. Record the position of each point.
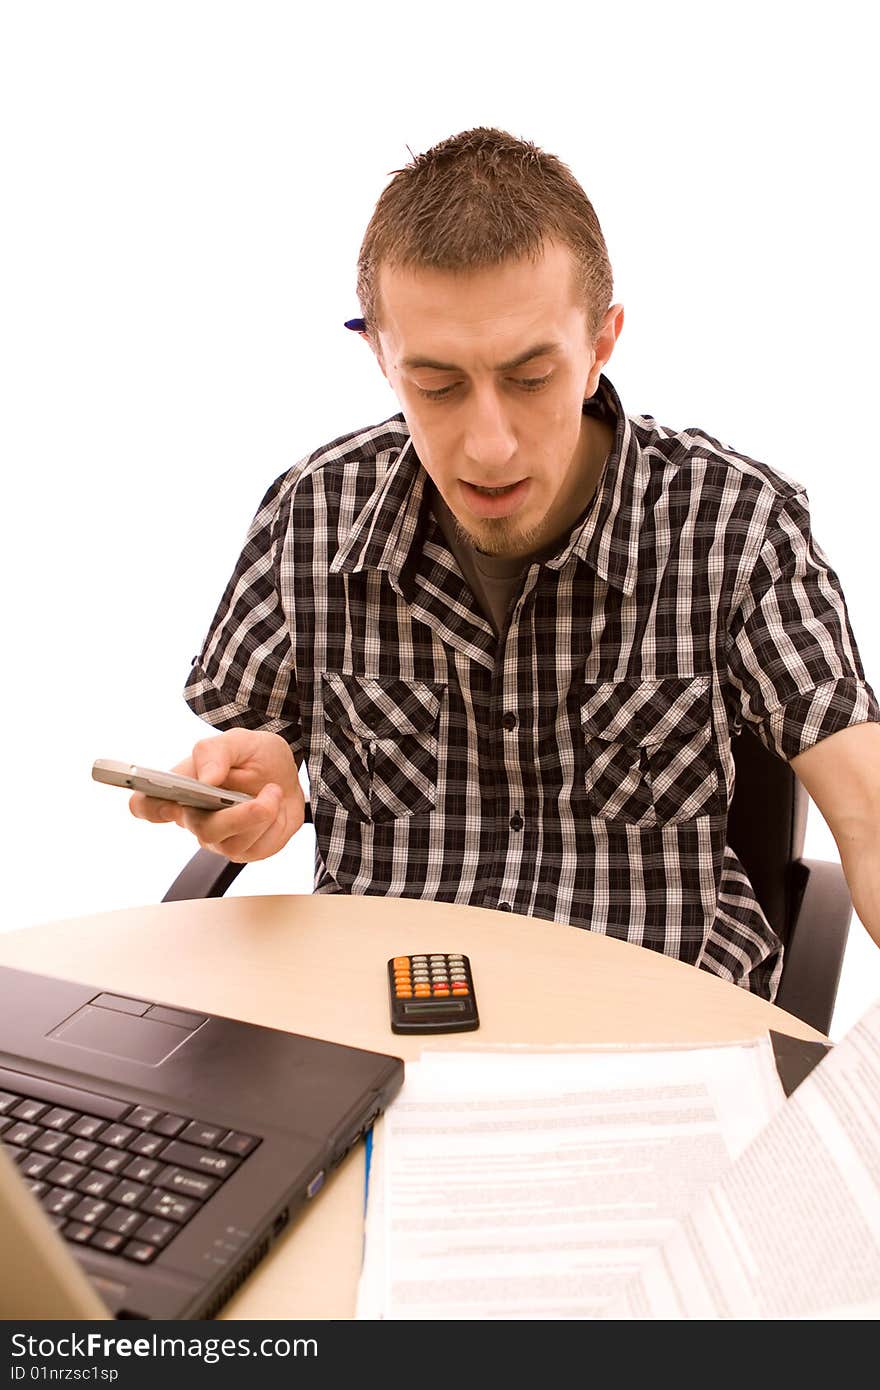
(184, 191)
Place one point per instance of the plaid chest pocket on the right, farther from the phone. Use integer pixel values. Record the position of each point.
(651, 755)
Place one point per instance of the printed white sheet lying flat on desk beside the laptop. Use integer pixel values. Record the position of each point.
(535, 1185)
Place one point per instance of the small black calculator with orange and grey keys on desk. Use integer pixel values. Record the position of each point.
(432, 995)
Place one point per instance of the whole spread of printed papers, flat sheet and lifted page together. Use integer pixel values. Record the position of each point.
(629, 1184)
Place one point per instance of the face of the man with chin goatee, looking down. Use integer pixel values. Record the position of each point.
(484, 408)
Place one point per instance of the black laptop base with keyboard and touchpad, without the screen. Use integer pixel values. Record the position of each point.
(172, 1147)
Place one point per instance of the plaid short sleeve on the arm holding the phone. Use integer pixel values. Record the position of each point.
(244, 676)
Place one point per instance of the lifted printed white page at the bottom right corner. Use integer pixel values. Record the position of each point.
(793, 1231)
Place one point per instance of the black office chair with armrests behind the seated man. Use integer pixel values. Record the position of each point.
(806, 901)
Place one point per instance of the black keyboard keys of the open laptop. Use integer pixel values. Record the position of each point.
(115, 1177)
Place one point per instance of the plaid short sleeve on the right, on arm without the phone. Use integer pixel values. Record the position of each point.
(793, 661)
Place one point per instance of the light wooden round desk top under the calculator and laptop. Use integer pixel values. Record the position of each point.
(316, 965)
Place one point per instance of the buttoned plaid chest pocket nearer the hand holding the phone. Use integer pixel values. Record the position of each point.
(380, 747)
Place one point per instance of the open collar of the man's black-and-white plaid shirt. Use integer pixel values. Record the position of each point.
(607, 539)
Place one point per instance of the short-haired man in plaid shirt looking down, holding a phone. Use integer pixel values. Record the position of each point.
(512, 629)
